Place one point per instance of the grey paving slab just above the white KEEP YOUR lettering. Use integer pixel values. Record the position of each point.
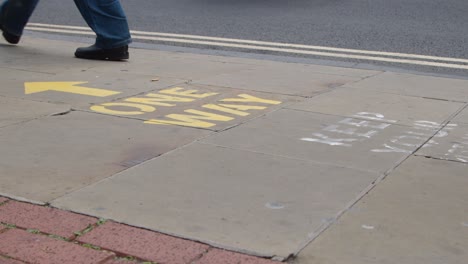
(398, 109)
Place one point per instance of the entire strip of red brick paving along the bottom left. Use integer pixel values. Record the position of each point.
(113, 238)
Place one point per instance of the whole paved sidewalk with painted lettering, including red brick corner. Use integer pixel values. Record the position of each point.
(186, 158)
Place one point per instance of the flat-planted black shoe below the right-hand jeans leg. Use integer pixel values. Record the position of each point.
(94, 53)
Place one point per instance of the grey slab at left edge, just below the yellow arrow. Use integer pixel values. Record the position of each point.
(14, 111)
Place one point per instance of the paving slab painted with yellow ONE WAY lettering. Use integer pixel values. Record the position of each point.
(199, 106)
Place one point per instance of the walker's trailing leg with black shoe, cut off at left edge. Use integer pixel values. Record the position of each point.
(14, 15)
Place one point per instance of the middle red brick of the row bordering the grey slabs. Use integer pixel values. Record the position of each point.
(144, 244)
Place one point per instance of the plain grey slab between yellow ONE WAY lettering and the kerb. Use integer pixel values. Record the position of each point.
(289, 79)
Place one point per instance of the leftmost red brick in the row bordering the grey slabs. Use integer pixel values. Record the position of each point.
(45, 219)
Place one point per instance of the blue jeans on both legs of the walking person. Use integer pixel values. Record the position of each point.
(105, 17)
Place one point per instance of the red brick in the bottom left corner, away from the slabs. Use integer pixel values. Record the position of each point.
(40, 249)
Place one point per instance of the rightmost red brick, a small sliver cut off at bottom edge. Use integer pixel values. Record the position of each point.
(217, 256)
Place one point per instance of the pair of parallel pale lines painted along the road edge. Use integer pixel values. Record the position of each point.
(244, 44)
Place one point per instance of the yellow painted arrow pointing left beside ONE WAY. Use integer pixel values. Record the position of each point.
(67, 87)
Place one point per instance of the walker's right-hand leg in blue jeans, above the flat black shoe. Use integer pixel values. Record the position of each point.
(107, 19)
